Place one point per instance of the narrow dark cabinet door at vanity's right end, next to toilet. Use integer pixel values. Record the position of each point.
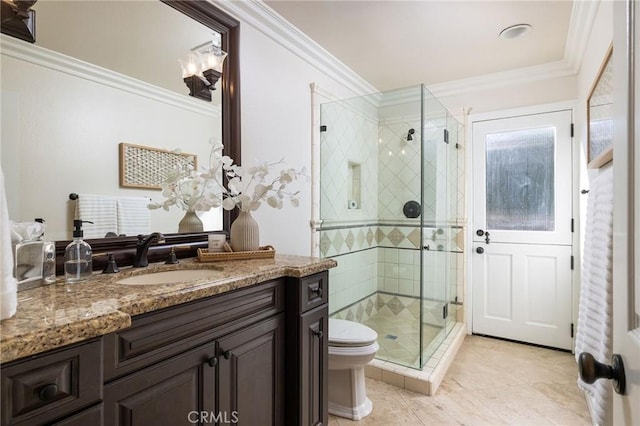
(314, 366)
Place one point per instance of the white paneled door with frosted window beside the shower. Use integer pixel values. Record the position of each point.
(522, 217)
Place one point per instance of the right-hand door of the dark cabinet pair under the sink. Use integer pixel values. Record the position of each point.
(251, 374)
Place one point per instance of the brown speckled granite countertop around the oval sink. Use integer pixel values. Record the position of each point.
(52, 316)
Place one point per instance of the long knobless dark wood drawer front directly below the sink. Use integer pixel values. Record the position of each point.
(161, 334)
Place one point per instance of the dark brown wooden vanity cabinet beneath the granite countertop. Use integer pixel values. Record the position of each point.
(218, 360)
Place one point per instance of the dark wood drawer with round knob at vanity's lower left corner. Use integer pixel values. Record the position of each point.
(53, 385)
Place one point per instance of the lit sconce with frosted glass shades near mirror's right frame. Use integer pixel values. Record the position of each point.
(202, 69)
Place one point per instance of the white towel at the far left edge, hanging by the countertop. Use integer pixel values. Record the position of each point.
(8, 285)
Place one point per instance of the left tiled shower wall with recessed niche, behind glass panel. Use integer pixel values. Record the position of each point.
(349, 172)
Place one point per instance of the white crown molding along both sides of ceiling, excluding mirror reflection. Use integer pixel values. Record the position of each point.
(267, 21)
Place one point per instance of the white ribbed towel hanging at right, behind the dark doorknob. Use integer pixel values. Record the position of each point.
(595, 309)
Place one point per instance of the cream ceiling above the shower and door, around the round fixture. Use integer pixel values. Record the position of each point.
(394, 44)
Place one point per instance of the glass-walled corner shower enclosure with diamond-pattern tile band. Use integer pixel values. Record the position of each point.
(391, 215)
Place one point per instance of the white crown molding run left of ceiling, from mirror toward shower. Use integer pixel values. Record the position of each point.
(267, 21)
